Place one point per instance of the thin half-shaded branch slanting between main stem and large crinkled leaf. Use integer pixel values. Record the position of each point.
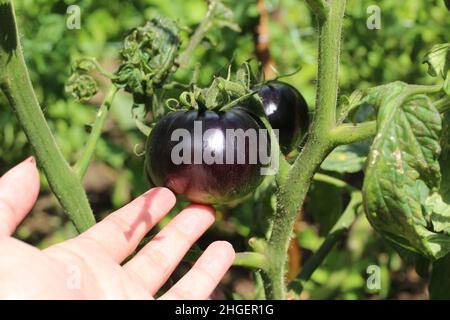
(341, 226)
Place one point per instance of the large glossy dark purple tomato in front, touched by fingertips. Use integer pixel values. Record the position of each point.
(199, 161)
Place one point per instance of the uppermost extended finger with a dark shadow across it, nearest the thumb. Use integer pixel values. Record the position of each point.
(120, 233)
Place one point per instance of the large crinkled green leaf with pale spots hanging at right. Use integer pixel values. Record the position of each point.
(403, 174)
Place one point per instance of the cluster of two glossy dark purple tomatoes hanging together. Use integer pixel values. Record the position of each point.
(195, 162)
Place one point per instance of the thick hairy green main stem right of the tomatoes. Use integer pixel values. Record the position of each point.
(292, 191)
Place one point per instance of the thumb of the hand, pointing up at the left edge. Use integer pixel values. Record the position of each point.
(19, 189)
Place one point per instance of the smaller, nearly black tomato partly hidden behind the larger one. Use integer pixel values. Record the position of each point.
(287, 111)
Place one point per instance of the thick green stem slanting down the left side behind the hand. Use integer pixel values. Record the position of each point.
(15, 83)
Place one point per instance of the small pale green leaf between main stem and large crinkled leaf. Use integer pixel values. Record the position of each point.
(347, 158)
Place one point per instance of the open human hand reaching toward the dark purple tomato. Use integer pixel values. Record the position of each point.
(88, 266)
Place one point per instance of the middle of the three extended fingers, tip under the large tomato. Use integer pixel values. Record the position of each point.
(157, 260)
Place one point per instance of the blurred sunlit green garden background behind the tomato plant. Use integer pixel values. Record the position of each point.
(369, 57)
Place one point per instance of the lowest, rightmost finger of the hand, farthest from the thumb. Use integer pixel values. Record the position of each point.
(205, 275)
